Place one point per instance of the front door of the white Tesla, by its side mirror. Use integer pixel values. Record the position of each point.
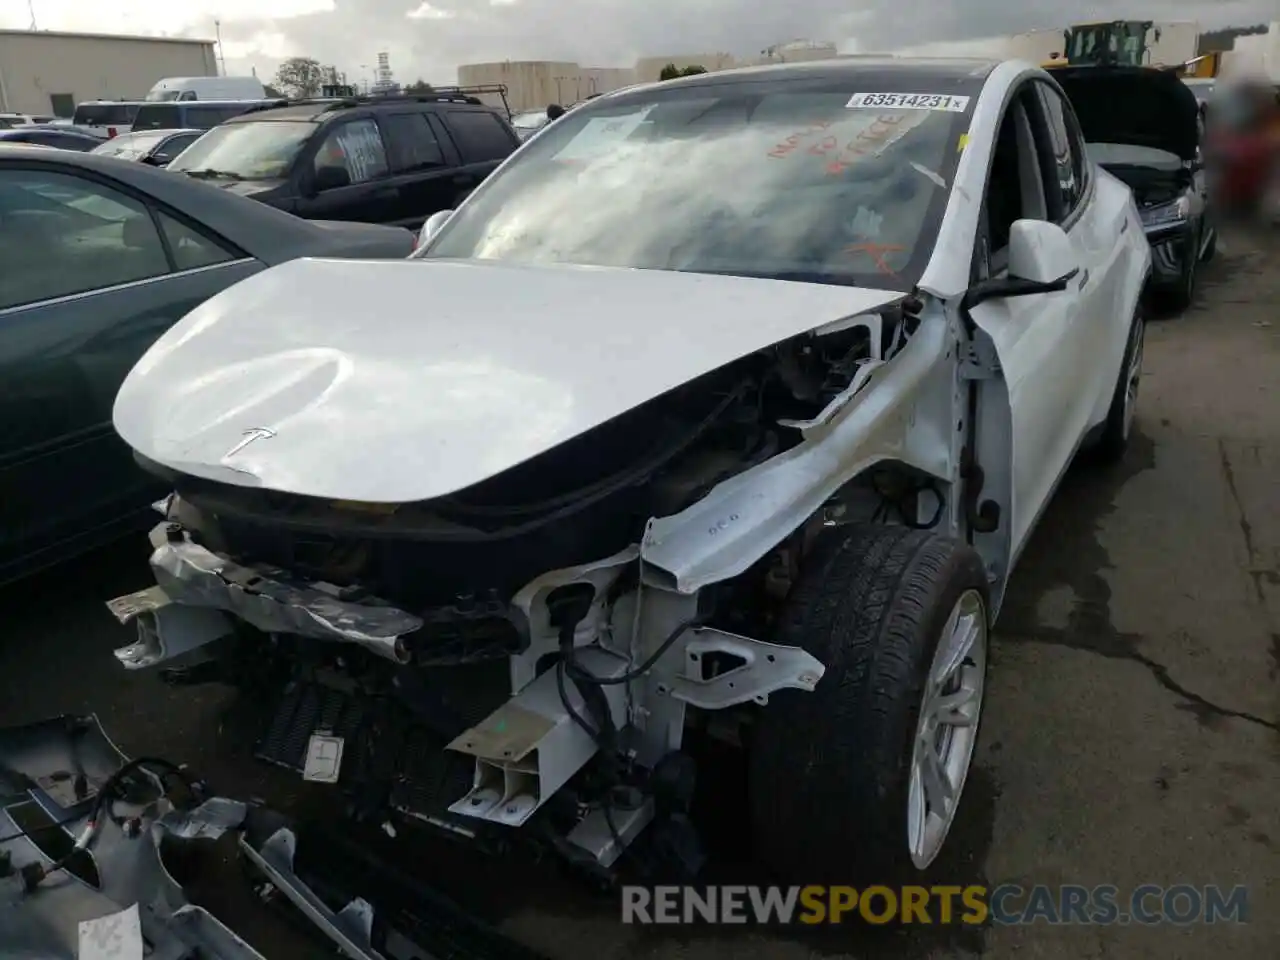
(1039, 340)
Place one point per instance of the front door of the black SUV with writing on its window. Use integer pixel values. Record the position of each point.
(364, 193)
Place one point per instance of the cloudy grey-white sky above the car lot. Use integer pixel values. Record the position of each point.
(431, 38)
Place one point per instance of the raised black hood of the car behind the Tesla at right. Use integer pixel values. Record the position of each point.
(1137, 106)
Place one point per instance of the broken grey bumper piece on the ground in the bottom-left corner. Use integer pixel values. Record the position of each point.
(118, 876)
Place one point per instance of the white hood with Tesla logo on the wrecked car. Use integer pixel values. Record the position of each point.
(395, 382)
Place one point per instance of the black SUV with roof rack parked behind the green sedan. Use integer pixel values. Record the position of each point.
(377, 159)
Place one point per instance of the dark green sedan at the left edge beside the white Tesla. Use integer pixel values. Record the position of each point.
(98, 258)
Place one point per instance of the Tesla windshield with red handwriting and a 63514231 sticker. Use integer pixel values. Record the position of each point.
(806, 186)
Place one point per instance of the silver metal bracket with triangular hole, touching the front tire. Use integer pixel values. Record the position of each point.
(762, 670)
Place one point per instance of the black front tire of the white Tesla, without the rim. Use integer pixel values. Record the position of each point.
(829, 771)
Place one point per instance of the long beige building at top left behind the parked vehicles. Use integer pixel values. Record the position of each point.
(44, 72)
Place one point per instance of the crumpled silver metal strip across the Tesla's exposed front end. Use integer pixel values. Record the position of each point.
(191, 575)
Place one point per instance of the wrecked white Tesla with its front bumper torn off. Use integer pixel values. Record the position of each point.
(724, 409)
